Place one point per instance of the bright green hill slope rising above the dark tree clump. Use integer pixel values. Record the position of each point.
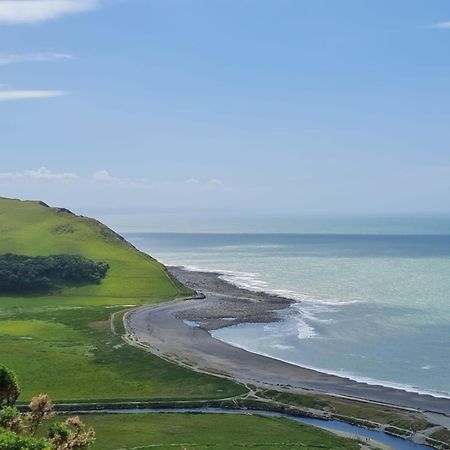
(32, 228)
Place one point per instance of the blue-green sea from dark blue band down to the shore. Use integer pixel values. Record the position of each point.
(375, 308)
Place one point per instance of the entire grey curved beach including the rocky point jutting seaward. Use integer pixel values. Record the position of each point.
(169, 332)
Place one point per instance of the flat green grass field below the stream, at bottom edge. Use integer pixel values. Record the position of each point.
(206, 431)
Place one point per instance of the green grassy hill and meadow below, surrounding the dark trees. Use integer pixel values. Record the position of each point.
(62, 344)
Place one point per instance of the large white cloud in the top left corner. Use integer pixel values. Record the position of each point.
(35, 11)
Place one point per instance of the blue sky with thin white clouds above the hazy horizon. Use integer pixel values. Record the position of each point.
(272, 106)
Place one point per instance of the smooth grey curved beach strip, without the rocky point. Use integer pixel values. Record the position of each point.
(162, 331)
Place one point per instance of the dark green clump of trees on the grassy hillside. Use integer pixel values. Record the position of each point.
(19, 273)
